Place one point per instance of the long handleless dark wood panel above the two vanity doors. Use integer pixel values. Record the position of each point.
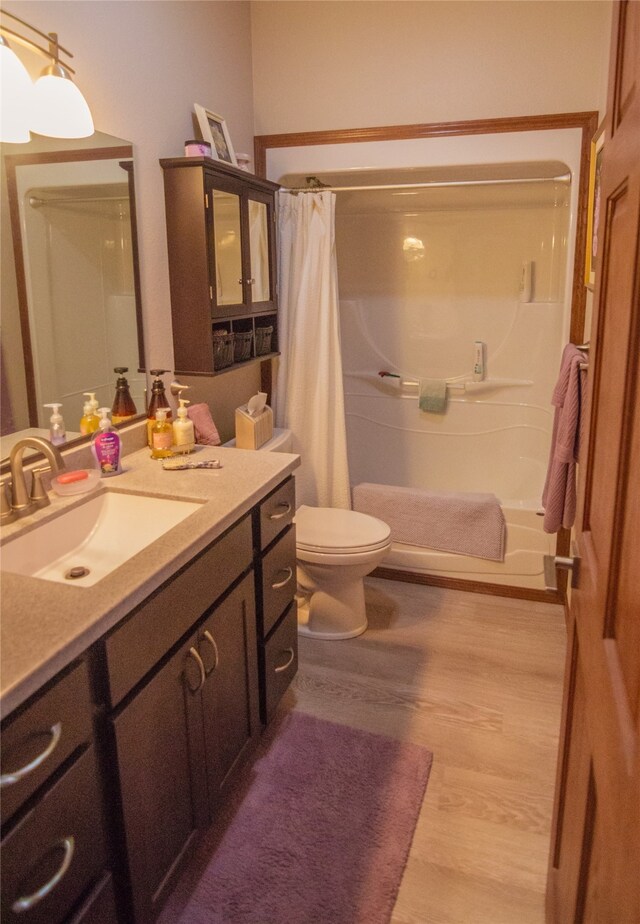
(149, 632)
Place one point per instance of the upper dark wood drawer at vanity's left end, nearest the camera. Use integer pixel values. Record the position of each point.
(43, 735)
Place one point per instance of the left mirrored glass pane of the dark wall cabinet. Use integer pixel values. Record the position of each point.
(227, 248)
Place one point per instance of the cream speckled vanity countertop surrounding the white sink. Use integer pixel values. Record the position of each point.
(45, 624)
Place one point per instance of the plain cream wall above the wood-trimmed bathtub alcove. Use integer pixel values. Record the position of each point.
(328, 65)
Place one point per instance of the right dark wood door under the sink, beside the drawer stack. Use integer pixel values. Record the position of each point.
(228, 648)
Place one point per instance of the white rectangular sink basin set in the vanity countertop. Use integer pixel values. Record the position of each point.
(98, 536)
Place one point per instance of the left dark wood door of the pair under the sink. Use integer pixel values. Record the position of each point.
(158, 739)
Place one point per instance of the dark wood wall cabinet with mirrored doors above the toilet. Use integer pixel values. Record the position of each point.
(222, 264)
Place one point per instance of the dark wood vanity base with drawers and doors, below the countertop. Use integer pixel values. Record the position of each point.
(130, 750)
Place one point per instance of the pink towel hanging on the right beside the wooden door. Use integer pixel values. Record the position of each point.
(559, 494)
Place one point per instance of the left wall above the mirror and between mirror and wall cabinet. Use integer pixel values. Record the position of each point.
(142, 64)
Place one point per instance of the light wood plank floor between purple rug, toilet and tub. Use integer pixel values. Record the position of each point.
(478, 680)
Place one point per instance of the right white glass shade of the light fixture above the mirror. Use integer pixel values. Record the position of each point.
(60, 109)
